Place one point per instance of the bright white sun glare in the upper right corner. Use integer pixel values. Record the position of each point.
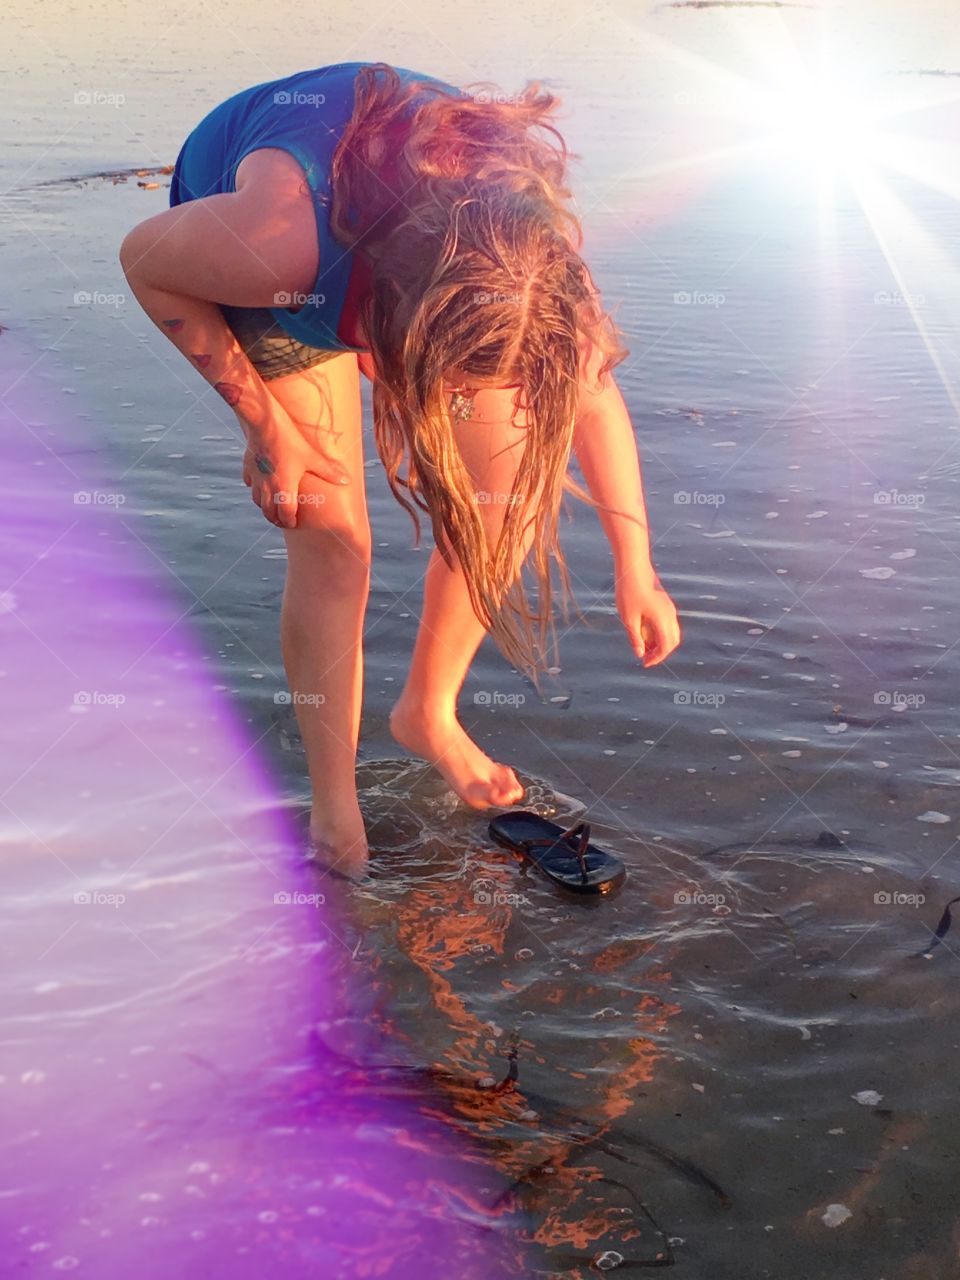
(796, 108)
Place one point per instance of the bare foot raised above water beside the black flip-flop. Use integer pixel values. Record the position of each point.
(478, 780)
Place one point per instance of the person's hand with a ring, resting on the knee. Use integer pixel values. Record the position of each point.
(275, 465)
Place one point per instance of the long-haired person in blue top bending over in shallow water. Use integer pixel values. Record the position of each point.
(365, 218)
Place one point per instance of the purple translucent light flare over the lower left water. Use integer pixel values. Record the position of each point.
(189, 1075)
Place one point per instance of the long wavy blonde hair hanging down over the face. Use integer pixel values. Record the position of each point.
(460, 203)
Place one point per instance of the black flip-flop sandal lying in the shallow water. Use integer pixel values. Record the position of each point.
(565, 856)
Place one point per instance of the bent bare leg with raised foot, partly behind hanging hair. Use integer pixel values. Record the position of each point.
(426, 716)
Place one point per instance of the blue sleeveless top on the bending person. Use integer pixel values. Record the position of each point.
(304, 115)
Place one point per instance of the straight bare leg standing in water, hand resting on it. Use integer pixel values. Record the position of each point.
(324, 601)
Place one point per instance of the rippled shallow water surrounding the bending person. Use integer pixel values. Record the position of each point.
(689, 1055)
